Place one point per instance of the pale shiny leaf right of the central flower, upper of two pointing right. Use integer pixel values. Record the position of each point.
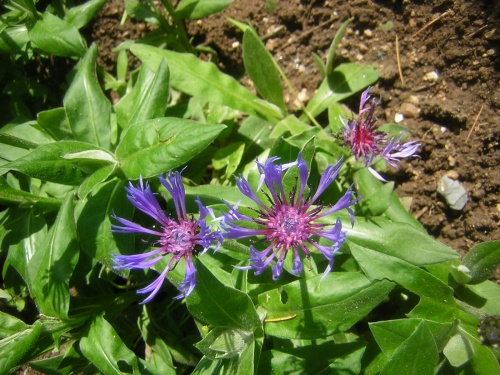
(397, 240)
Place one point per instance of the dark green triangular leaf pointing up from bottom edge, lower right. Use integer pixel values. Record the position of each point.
(417, 355)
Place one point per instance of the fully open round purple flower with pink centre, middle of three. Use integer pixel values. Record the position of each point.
(291, 221)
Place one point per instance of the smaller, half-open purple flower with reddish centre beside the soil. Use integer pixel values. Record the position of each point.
(367, 142)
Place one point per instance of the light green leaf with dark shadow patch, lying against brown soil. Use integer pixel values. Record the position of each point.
(346, 79)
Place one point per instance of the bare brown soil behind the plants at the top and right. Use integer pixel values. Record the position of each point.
(461, 47)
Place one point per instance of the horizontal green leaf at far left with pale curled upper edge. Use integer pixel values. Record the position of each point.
(52, 162)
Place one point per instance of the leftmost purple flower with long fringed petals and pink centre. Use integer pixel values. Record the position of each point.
(182, 237)
